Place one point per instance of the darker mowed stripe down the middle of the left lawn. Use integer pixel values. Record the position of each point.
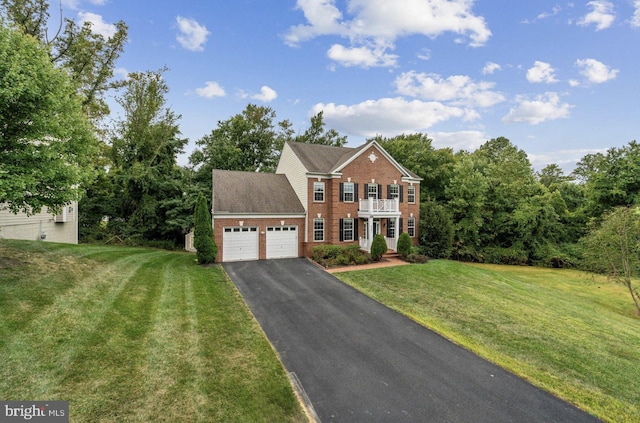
(105, 378)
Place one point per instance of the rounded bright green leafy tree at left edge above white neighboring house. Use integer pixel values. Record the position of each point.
(46, 142)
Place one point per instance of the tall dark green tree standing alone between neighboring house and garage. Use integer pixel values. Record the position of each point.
(146, 178)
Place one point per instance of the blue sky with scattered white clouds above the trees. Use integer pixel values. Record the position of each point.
(559, 79)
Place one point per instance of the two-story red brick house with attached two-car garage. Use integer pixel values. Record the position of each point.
(319, 195)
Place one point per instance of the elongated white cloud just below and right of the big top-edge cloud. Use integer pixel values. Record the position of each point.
(456, 89)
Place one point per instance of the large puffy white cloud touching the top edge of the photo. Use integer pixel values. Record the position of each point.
(379, 23)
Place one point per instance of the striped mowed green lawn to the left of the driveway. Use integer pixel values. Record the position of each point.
(134, 335)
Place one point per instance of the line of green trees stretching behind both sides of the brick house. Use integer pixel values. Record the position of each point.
(59, 142)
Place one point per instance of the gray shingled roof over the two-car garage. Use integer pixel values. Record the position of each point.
(251, 192)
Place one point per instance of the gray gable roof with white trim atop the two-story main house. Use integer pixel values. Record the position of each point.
(318, 158)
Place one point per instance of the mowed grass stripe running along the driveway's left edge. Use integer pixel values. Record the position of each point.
(242, 377)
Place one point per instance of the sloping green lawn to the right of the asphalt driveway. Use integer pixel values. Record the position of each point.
(568, 332)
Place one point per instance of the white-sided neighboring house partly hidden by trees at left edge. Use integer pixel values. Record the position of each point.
(43, 226)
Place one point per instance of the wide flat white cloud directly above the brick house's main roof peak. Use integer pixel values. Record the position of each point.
(388, 116)
